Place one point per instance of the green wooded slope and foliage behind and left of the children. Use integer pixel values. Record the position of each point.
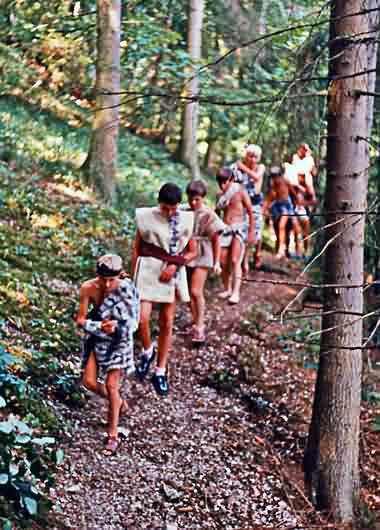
(262, 77)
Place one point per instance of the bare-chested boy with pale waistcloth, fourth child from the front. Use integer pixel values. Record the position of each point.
(234, 201)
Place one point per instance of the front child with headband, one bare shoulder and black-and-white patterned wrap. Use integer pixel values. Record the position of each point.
(107, 347)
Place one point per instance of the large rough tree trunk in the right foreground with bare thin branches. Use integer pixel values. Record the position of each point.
(331, 456)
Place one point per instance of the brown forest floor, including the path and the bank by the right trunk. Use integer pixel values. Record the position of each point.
(224, 449)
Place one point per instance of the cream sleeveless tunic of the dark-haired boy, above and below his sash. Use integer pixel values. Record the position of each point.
(172, 235)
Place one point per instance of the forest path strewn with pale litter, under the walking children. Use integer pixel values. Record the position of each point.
(194, 460)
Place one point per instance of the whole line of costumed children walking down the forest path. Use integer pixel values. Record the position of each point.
(174, 249)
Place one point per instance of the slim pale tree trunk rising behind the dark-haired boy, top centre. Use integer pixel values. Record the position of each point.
(188, 147)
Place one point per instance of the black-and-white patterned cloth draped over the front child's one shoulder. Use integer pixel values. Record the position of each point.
(113, 351)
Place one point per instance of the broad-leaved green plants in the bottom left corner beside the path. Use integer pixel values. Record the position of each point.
(26, 457)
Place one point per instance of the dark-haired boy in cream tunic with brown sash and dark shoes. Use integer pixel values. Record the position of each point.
(162, 247)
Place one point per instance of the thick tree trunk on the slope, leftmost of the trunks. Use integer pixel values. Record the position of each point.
(101, 165)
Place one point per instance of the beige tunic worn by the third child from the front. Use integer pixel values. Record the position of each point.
(206, 224)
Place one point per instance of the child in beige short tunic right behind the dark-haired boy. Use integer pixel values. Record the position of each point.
(207, 229)
